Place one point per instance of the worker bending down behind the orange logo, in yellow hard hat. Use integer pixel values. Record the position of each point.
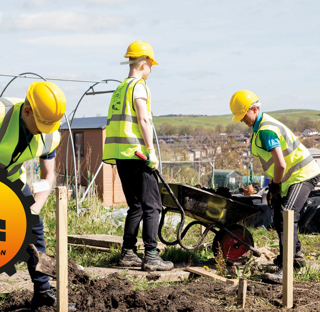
(29, 130)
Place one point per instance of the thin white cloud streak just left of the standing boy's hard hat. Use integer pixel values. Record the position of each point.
(88, 41)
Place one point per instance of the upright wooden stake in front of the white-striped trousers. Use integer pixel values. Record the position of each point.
(288, 219)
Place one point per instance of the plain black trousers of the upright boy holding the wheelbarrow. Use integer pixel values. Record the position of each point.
(141, 189)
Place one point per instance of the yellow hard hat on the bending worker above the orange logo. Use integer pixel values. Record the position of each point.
(48, 104)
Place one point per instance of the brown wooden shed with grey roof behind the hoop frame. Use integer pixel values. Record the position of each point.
(88, 135)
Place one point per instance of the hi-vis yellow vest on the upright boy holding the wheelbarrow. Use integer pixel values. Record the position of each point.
(123, 135)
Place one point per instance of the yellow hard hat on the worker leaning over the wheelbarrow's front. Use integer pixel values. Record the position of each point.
(240, 103)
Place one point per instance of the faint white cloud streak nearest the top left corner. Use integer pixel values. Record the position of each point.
(62, 21)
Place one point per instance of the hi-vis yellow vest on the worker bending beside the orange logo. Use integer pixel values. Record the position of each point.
(9, 137)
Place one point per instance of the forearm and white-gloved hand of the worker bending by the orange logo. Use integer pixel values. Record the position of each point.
(47, 173)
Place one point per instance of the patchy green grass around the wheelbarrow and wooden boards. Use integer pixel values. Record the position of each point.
(94, 223)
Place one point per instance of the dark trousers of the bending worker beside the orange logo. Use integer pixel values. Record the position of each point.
(40, 280)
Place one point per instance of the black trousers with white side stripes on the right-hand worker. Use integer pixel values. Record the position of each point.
(295, 200)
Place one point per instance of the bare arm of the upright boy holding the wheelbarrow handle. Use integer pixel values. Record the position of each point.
(145, 126)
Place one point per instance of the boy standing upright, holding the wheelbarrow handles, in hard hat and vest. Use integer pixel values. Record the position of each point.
(128, 130)
